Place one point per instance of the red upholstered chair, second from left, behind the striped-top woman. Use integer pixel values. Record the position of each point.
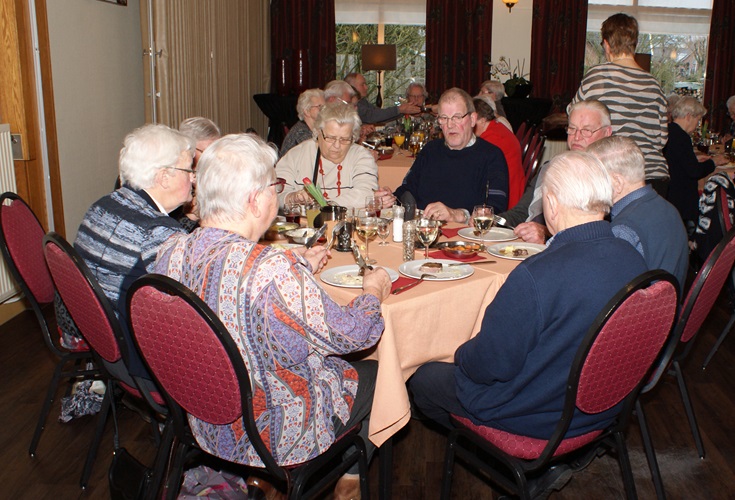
(98, 324)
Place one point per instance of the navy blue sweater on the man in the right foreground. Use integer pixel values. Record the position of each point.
(512, 375)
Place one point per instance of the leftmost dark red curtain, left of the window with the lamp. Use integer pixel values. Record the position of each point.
(303, 41)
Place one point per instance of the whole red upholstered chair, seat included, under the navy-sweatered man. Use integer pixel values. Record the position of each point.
(610, 367)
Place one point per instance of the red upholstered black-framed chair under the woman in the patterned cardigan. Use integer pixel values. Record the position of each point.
(201, 372)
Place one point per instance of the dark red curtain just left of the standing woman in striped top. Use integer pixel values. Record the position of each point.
(558, 35)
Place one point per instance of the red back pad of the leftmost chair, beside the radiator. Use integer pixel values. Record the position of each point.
(24, 238)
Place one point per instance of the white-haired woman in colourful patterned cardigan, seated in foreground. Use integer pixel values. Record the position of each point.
(310, 395)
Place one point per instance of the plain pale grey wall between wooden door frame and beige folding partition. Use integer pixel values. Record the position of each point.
(96, 61)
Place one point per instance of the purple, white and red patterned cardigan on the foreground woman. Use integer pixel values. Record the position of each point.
(290, 334)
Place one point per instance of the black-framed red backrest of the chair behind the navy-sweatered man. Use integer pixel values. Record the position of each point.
(619, 349)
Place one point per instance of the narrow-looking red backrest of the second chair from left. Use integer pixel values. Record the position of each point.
(87, 304)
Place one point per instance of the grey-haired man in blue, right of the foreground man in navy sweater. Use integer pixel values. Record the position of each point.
(639, 215)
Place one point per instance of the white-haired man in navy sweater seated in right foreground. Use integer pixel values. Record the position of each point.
(519, 386)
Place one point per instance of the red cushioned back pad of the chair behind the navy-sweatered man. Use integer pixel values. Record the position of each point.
(626, 347)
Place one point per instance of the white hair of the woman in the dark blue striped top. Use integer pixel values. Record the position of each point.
(148, 149)
